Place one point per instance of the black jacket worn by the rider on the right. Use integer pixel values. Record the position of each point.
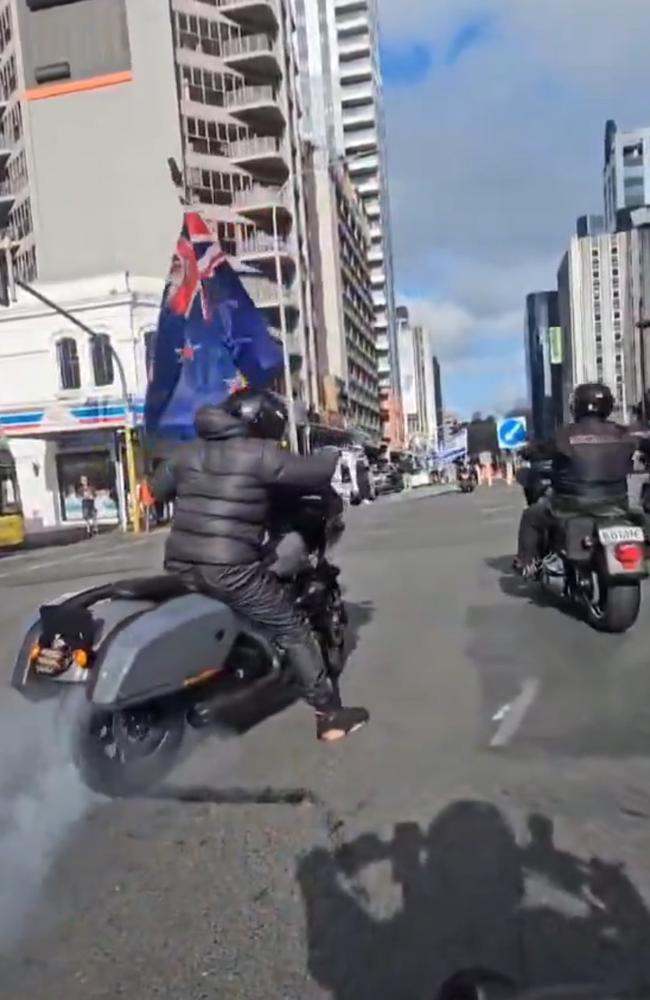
(591, 459)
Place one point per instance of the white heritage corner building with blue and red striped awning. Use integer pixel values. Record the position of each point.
(62, 405)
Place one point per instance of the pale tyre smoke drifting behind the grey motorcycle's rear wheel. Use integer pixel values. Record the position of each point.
(41, 797)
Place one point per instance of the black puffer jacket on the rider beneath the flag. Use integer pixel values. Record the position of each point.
(222, 486)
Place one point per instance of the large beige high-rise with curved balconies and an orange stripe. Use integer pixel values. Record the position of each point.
(109, 90)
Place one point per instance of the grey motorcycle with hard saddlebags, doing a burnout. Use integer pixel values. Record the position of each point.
(152, 657)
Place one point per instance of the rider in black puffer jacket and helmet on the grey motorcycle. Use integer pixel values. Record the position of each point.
(221, 485)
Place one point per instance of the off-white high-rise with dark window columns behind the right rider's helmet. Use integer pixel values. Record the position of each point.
(595, 316)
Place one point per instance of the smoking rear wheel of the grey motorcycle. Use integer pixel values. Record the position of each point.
(124, 753)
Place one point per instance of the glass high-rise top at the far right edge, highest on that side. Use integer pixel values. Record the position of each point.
(627, 170)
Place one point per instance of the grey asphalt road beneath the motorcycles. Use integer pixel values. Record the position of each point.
(495, 813)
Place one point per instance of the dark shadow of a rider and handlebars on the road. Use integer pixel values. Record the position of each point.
(468, 896)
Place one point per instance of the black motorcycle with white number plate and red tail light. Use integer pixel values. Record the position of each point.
(597, 562)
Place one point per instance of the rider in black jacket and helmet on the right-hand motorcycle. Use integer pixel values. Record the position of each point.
(591, 459)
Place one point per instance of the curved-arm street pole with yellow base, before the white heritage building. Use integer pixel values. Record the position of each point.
(8, 284)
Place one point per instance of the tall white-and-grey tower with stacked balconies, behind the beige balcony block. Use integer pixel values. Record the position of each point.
(341, 78)
